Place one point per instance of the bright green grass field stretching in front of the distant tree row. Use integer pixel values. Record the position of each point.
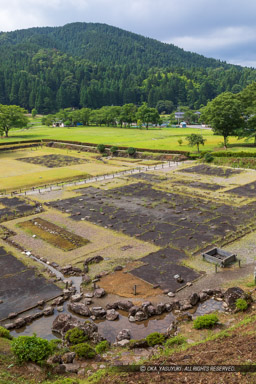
(154, 138)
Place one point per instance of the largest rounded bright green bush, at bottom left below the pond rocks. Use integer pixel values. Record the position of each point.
(31, 348)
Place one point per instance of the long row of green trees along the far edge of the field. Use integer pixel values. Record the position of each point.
(108, 115)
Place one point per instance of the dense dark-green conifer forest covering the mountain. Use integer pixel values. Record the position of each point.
(92, 65)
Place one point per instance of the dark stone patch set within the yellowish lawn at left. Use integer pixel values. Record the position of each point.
(53, 161)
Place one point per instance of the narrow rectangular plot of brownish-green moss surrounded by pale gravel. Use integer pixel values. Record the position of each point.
(54, 235)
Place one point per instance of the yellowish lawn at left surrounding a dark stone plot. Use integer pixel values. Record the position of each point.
(20, 174)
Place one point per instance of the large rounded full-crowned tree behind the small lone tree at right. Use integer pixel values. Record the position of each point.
(224, 114)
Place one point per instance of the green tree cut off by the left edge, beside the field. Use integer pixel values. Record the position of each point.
(12, 116)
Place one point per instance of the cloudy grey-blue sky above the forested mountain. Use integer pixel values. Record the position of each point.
(223, 29)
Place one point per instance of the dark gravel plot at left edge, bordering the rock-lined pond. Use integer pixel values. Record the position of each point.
(20, 288)
